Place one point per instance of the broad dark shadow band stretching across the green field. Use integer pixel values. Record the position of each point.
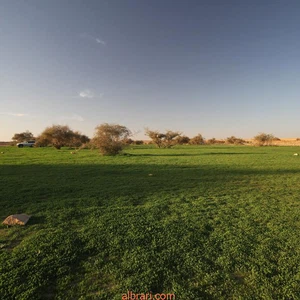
(66, 186)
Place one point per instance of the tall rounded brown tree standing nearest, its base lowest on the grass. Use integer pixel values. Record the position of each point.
(111, 139)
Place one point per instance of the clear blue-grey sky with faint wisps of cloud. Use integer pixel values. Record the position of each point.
(215, 67)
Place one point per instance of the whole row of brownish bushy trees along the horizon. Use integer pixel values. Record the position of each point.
(111, 139)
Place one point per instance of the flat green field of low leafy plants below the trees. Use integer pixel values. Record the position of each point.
(209, 223)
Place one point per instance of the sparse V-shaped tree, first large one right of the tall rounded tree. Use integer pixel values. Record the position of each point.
(163, 140)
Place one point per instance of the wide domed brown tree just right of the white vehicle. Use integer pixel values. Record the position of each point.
(59, 136)
